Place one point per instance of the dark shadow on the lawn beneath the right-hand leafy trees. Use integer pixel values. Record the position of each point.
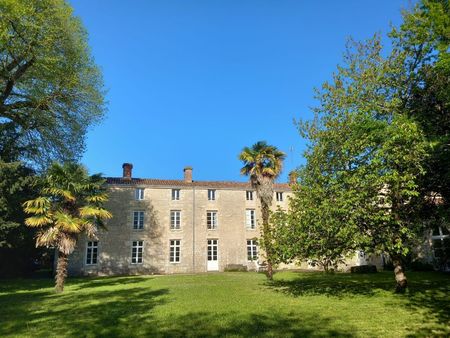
(428, 293)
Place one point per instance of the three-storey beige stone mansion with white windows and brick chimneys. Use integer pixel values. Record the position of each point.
(175, 226)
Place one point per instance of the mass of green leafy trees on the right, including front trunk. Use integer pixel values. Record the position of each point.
(378, 148)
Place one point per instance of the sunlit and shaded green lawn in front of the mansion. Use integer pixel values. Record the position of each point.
(227, 304)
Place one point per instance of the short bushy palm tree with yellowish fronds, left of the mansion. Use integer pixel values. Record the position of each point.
(70, 203)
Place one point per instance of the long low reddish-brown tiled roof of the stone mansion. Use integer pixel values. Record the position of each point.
(181, 183)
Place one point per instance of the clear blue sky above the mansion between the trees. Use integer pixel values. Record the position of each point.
(193, 82)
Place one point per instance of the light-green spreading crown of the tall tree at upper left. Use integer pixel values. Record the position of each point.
(50, 88)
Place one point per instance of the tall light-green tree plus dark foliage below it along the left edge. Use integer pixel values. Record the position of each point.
(51, 92)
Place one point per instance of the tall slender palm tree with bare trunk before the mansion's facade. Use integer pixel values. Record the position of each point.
(263, 164)
